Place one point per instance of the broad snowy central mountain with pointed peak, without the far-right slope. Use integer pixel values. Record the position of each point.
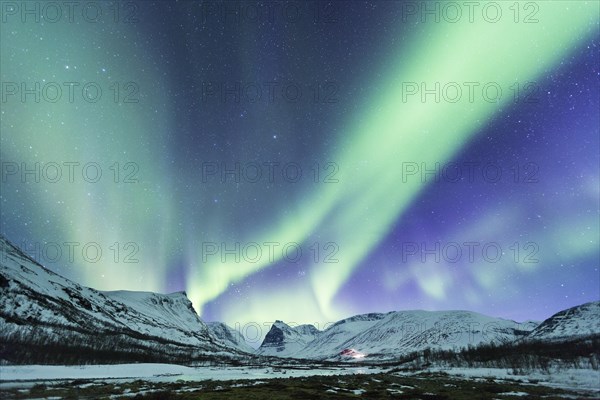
(385, 336)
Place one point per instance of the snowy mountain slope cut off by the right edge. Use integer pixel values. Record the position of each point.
(575, 322)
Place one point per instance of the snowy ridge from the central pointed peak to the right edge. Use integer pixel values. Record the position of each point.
(388, 335)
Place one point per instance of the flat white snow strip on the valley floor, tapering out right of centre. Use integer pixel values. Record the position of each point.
(11, 376)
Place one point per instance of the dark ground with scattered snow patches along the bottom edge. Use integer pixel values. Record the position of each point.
(379, 386)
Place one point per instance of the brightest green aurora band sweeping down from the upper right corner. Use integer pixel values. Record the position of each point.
(358, 212)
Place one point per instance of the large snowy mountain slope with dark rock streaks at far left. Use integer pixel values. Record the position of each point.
(41, 308)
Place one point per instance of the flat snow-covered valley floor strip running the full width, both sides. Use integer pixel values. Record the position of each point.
(26, 376)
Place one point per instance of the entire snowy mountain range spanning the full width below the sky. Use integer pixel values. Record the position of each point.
(41, 310)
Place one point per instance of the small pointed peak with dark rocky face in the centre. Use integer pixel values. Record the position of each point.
(283, 340)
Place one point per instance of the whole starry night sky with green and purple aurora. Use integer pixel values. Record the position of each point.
(267, 159)
